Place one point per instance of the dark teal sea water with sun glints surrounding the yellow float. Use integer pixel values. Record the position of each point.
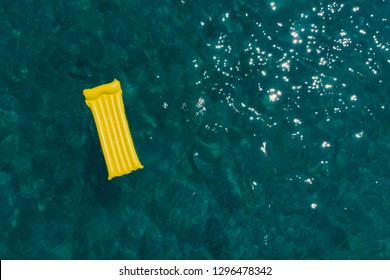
(263, 127)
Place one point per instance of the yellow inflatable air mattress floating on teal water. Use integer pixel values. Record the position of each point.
(108, 111)
